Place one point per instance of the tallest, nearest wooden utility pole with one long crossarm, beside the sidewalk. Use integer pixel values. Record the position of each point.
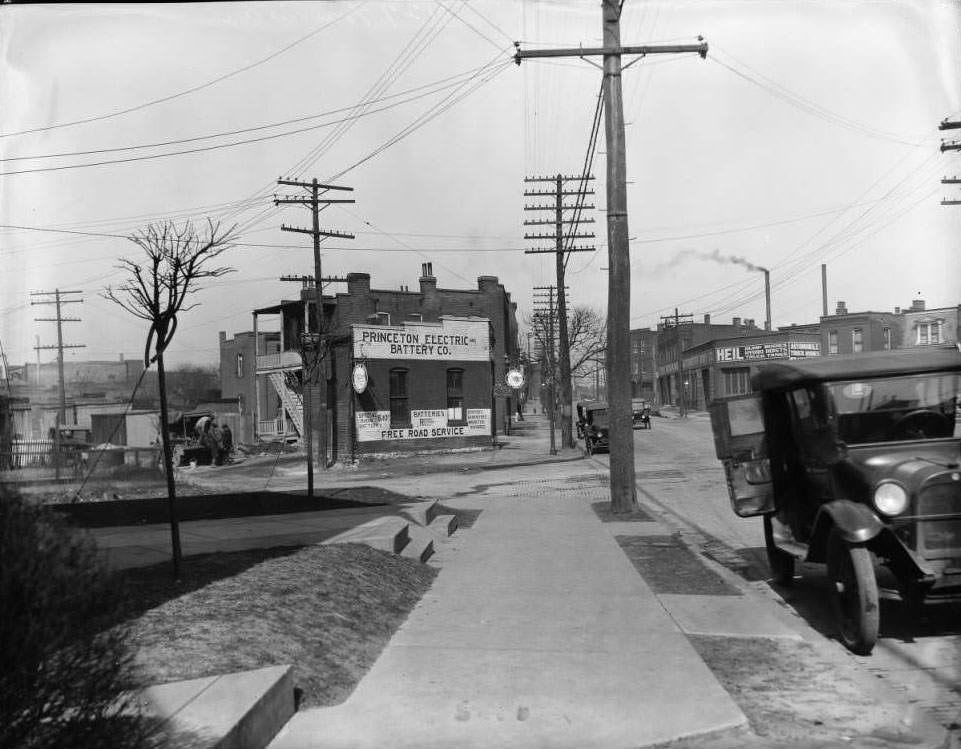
(623, 492)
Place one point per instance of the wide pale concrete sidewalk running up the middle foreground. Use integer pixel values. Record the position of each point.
(538, 631)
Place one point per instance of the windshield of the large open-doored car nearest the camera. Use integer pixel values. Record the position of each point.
(896, 408)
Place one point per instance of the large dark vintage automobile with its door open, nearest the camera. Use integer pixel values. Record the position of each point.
(854, 462)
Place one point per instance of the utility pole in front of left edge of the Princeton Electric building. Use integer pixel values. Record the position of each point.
(313, 344)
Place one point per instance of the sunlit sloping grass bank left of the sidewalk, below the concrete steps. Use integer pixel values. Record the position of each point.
(326, 610)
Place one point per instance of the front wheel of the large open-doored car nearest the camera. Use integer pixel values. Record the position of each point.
(854, 590)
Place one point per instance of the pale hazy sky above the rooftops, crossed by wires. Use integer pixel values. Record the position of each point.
(808, 136)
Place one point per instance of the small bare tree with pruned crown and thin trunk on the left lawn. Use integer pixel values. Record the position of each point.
(157, 290)
